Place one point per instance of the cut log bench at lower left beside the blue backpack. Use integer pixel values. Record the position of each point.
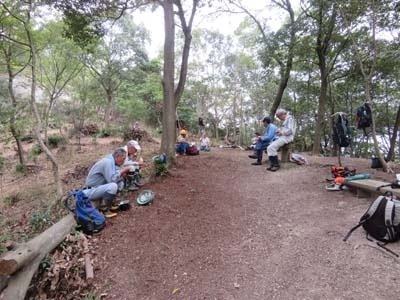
(43, 244)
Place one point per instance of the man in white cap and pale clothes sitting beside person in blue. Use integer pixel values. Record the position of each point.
(285, 136)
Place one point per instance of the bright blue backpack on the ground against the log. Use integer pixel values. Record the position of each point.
(88, 218)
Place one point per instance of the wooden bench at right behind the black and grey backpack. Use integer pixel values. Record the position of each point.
(367, 187)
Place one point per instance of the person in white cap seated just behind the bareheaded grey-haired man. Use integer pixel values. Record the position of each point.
(132, 180)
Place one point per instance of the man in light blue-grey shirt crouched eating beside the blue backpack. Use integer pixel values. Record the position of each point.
(105, 179)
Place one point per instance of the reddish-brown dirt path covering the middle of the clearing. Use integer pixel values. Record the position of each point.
(222, 229)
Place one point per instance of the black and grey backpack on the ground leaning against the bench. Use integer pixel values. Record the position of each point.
(381, 221)
